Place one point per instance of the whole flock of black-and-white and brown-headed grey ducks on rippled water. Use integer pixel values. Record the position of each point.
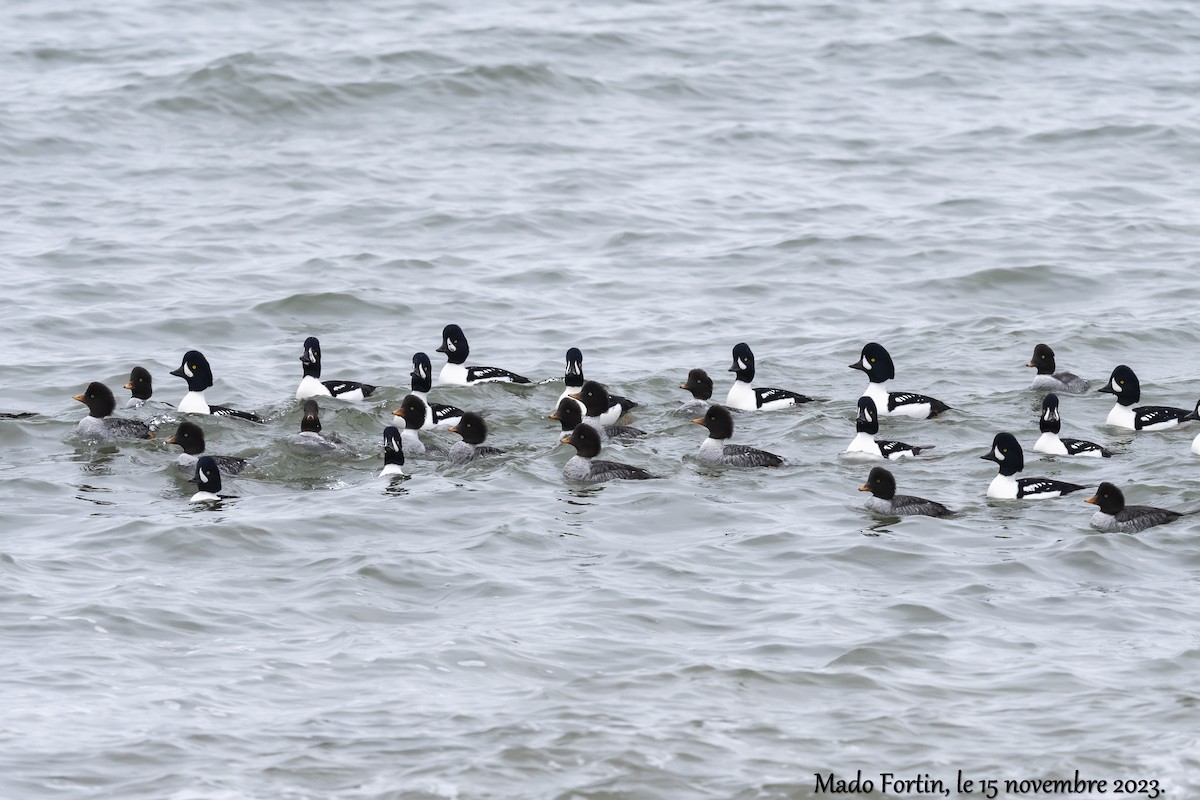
(590, 417)
